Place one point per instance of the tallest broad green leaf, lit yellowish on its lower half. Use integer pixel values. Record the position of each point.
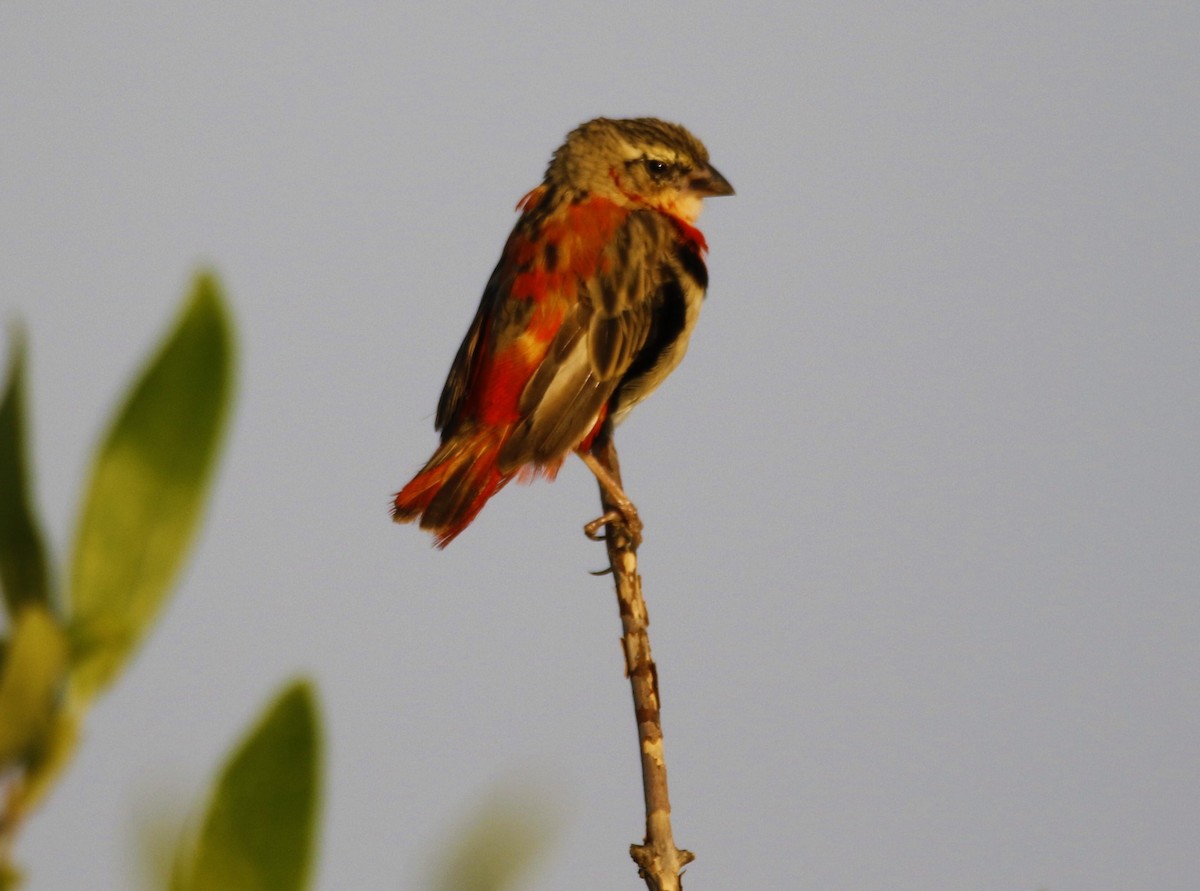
(148, 489)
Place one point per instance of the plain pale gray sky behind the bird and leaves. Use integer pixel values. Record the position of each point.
(923, 504)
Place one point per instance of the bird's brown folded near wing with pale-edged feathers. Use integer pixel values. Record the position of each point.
(598, 340)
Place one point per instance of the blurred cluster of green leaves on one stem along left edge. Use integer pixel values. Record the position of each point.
(149, 485)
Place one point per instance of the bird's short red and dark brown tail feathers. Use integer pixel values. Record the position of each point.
(455, 485)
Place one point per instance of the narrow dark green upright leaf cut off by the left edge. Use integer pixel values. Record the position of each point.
(23, 573)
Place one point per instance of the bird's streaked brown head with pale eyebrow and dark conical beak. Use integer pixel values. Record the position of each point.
(640, 162)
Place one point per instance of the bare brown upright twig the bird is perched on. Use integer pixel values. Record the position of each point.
(659, 863)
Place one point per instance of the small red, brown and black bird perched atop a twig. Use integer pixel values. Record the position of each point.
(589, 310)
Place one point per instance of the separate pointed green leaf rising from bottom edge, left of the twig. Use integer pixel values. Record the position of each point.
(260, 830)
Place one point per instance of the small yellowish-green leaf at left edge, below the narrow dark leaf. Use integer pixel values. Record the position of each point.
(32, 685)
